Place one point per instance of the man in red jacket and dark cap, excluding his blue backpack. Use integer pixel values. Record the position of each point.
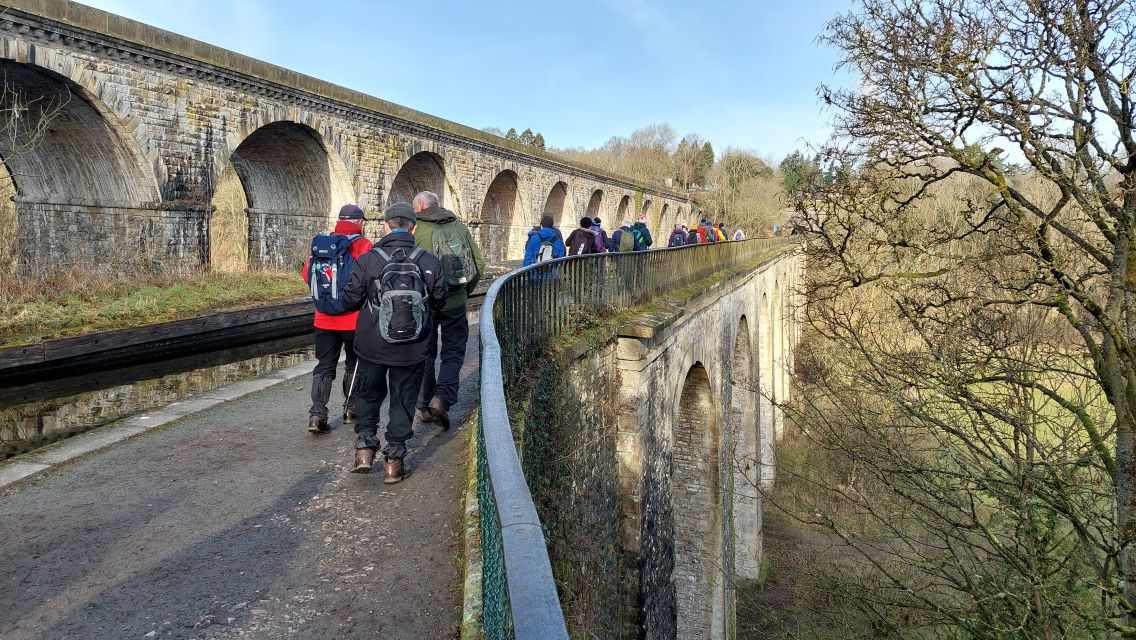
(335, 333)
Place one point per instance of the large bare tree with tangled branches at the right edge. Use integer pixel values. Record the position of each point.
(982, 371)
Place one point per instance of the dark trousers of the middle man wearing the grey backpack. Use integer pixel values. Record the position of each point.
(375, 383)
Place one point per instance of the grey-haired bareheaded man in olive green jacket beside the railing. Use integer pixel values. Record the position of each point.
(441, 234)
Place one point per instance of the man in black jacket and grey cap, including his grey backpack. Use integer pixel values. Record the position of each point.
(398, 287)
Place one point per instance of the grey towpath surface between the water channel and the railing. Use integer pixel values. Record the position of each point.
(238, 523)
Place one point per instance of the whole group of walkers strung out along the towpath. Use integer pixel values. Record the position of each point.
(390, 304)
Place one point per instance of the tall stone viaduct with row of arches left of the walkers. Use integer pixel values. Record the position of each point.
(138, 146)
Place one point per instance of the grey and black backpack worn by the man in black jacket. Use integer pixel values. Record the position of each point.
(399, 302)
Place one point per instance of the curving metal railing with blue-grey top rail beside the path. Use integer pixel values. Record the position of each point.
(523, 310)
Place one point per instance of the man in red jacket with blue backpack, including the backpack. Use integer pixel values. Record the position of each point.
(333, 256)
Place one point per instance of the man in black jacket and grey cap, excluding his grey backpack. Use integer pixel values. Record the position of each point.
(386, 367)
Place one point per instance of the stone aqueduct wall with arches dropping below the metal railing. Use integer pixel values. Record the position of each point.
(673, 418)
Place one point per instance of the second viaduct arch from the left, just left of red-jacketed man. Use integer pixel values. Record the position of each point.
(291, 189)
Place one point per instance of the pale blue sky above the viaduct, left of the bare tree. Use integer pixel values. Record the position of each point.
(739, 73)
